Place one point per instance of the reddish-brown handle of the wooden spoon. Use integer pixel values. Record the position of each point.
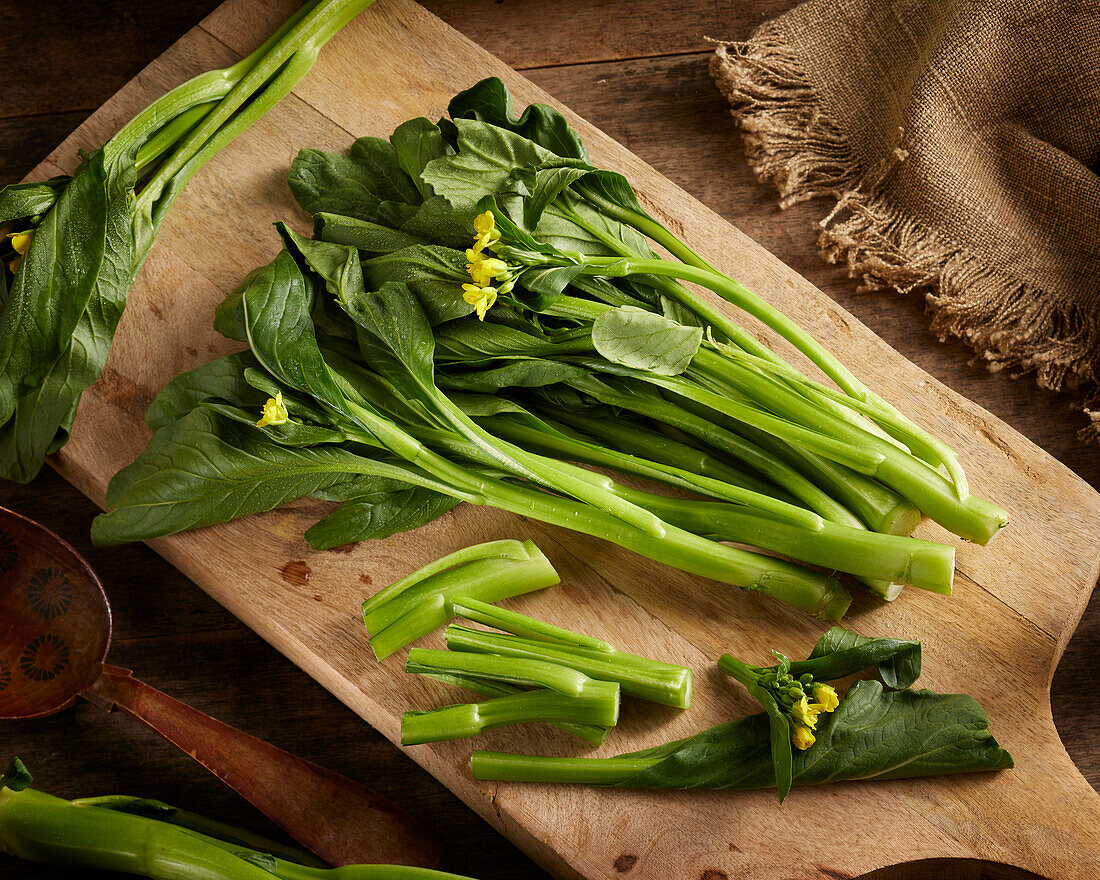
(339, 820)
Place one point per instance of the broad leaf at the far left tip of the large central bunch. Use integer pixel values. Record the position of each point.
(205, 469)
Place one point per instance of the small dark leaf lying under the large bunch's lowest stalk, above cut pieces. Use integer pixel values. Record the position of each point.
(373, 518)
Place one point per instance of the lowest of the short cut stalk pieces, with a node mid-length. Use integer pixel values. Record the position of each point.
(598, 706)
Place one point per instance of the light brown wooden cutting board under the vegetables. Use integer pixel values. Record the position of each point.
(999, 637)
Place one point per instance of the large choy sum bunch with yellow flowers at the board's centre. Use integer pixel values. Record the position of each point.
(480, 313)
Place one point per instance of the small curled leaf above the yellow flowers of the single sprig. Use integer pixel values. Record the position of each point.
(841, 653)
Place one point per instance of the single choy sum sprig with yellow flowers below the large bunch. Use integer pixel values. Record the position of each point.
(878, 730)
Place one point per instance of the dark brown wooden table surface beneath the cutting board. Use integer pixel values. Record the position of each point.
(640, 72)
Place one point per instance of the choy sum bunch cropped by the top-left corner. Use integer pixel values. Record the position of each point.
(71, 248)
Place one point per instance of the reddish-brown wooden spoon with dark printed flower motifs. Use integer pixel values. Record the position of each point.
(56, 630)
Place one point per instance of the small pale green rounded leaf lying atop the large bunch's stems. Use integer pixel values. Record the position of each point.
(643, 340)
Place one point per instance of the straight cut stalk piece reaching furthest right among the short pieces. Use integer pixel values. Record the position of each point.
(665, 684)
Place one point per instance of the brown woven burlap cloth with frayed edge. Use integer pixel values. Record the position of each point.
(960, 142)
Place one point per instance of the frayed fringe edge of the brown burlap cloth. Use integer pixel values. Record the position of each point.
(793, 144)
